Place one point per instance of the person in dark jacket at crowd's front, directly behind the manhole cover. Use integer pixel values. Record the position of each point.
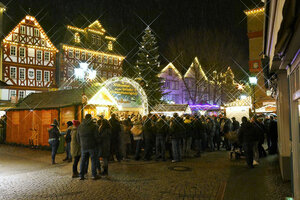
(177, 130)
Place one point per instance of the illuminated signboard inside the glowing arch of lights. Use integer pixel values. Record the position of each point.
(125, 94)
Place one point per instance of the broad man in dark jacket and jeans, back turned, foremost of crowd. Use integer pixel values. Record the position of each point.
(87, 136)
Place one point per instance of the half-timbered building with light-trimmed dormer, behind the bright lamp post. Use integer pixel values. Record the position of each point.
(91, 45)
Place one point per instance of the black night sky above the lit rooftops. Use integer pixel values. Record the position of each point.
(171, 20)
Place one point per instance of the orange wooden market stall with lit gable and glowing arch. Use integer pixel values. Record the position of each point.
(28, 121)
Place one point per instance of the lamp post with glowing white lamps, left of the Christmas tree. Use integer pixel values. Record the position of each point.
(84, 74)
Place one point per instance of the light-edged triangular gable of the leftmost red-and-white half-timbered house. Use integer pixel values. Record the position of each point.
(29, 25)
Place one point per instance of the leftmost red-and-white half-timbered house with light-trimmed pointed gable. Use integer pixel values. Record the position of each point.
(28, 60)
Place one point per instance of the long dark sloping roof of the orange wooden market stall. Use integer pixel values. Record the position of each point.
(55, 99)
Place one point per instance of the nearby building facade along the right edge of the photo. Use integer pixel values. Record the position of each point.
(281, 55)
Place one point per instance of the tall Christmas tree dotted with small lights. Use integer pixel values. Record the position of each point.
(148, 68)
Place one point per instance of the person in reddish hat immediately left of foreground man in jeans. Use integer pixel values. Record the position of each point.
(75, 148)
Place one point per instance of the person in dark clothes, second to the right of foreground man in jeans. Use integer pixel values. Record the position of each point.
(115, 137)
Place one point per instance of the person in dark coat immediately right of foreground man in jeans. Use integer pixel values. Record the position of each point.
(105, 134)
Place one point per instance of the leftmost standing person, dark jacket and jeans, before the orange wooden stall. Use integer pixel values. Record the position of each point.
(54, 135)
